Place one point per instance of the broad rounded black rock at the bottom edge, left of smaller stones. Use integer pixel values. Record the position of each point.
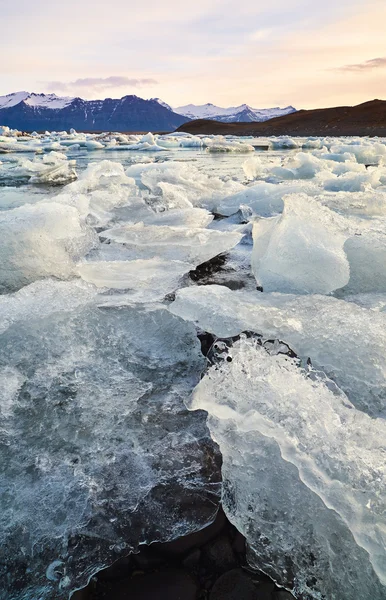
(168, 584)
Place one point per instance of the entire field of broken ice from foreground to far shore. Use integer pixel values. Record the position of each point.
(97, 448)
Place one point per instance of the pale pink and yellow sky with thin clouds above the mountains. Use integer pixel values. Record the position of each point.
(227, 52)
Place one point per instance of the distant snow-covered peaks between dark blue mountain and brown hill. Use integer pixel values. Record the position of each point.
(238, 114)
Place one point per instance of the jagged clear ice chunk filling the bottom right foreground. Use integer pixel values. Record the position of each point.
(303, 471)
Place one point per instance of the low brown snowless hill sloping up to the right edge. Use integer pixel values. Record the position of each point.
(368, 118)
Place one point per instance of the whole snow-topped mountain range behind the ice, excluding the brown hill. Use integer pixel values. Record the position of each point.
(29, 111)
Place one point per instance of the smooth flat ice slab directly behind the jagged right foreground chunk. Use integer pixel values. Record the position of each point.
(344, 340)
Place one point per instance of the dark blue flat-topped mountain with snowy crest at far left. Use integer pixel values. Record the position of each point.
(29, 112)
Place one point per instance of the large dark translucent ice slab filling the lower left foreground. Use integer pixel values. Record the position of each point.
(95, 440)
